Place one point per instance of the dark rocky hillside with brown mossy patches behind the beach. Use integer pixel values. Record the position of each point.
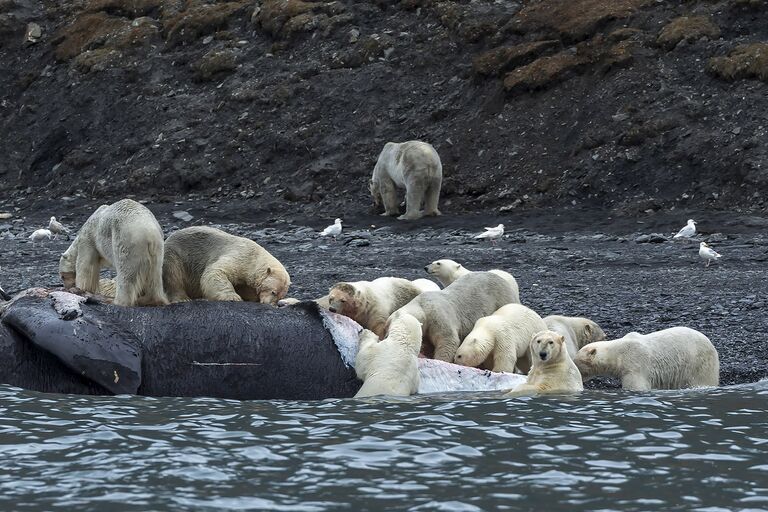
(632, 105)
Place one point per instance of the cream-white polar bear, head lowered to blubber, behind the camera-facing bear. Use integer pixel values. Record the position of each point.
(501, 340)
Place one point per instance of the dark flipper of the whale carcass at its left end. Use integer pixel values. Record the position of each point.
(94, 348)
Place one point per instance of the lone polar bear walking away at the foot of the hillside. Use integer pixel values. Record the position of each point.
(413, 165)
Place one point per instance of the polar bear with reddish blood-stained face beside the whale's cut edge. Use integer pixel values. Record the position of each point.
(370, 303)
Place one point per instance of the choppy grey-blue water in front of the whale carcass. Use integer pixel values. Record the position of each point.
(701, 450)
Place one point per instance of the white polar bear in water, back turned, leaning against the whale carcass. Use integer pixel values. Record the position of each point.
(390, 366)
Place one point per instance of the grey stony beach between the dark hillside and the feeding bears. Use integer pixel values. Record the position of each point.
(613, 270)
